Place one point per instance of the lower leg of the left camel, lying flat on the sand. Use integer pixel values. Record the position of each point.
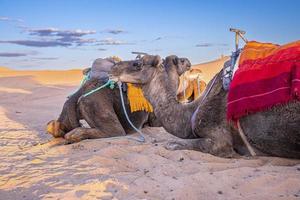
(79, 134)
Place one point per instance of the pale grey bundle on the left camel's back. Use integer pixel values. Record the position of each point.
(101, 67)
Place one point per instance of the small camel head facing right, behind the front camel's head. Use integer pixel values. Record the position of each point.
(181, 64)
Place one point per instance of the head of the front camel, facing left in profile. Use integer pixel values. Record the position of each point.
(137, 71)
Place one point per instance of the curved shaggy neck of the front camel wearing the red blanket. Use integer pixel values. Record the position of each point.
(174, 116)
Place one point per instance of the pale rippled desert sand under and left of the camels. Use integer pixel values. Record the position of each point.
(35, 166)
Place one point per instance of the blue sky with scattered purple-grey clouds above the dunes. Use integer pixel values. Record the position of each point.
(67, 34)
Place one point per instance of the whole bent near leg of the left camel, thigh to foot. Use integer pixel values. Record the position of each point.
(101, 117)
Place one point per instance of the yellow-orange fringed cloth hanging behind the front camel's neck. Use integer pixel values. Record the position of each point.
(137, 100)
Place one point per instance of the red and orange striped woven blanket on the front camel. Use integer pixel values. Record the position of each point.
(268, 75)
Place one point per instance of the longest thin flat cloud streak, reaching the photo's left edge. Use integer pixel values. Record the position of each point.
(37, 43)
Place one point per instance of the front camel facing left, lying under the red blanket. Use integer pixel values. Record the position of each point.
(273, 132)
